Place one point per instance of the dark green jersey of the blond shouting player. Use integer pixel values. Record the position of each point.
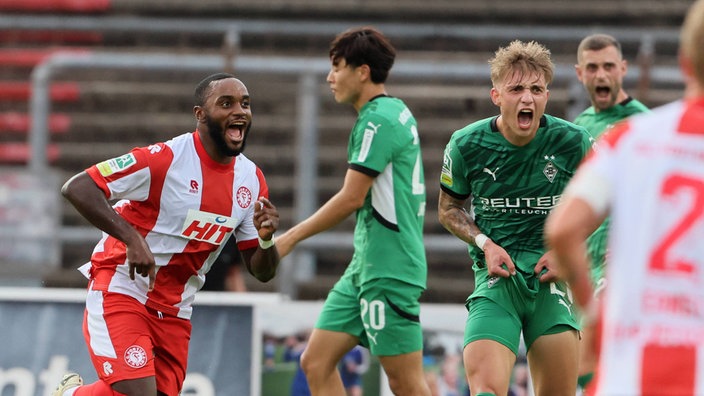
(512, 189)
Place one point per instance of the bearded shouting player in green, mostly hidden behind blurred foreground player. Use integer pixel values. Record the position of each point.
(601, 68)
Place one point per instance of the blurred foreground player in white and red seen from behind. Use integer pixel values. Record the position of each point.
(647, 173)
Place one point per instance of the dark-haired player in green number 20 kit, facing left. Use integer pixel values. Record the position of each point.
(376, 301)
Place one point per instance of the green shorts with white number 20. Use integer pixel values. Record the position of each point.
(382, 313)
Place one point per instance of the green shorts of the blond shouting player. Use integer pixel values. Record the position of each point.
(510, 308)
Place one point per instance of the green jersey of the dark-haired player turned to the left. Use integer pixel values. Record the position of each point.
(388, 235)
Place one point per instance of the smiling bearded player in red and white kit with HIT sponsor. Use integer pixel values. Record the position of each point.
(177, 204)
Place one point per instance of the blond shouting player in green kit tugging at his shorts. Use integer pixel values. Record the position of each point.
(512, 169)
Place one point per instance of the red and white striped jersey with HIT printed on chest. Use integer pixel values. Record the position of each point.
(186, 206)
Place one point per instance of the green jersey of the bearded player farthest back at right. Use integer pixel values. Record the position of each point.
(596, 123)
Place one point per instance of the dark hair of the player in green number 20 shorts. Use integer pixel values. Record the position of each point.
(364, 46)
